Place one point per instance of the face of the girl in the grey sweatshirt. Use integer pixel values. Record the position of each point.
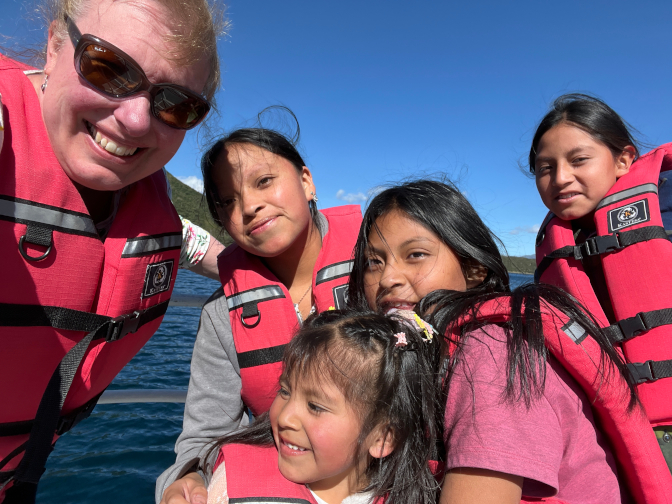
(264, 199)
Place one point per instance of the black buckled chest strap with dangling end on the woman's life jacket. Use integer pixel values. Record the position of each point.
(45, 424)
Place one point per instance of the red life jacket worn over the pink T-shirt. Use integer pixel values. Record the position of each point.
(636, 450)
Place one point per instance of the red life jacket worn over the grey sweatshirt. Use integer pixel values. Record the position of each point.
(262, 314)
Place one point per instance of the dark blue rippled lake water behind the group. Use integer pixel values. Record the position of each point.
(116, 454)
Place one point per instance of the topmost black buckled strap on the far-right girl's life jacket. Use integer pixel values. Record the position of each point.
(601, 245)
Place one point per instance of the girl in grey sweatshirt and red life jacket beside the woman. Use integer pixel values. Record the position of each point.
(289, 260)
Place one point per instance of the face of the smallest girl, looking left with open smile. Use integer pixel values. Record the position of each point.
(316, 433)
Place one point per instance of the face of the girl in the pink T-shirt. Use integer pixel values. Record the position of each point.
(406, 261)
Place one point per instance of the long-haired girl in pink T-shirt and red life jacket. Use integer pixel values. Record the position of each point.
(518, 424)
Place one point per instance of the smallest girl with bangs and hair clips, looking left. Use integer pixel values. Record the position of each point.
(355, 420)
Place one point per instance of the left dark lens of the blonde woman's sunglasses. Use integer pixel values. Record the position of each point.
(107, 71)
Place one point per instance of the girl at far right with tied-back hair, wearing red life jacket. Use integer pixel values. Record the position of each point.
(604, 239)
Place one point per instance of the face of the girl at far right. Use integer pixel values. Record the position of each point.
(574, 171)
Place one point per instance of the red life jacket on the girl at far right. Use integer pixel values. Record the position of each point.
(636, 256)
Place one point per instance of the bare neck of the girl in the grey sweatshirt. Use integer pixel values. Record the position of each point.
(294, 267)
